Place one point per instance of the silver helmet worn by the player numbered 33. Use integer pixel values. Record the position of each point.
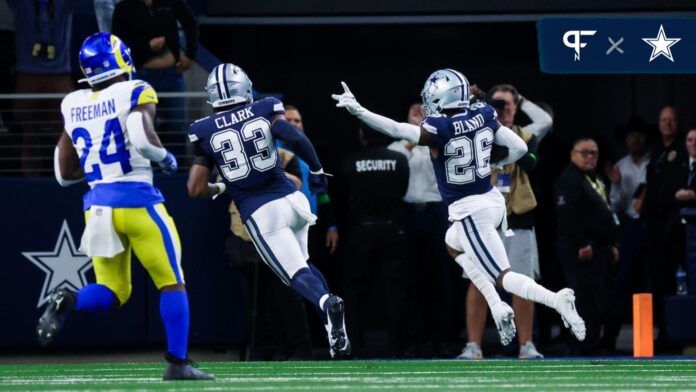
(227, 85)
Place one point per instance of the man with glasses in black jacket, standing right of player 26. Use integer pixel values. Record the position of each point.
(587, 237)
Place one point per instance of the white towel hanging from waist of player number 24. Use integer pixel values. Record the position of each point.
(100, 238)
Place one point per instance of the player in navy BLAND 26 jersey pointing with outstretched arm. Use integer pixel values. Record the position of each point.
(461, 137)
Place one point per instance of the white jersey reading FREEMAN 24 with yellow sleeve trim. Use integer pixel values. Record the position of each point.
(96, 123)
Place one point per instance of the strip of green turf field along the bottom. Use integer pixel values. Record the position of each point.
(365, 375)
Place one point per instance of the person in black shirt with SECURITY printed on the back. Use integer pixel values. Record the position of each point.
(375, 181)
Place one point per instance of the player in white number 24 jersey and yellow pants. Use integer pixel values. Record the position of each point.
(110, 141)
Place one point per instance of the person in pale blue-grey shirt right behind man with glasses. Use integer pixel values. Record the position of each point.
(627, 180)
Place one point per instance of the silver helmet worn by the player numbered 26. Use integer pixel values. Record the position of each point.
(445, 89)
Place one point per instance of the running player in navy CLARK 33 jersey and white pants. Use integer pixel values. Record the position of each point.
(240, 139)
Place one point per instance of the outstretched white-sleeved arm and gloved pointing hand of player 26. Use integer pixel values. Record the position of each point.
(389, 127)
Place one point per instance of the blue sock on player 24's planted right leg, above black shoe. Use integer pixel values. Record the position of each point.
(175, 316)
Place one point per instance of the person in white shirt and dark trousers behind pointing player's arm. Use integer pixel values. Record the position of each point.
(429, 278)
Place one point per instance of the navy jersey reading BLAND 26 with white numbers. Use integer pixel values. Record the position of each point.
(465, 140)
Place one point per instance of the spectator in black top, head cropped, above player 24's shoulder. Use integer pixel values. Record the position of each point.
(149, 28)
